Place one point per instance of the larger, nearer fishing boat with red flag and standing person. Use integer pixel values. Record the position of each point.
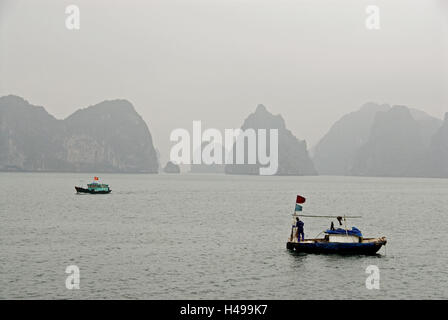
(335, 240)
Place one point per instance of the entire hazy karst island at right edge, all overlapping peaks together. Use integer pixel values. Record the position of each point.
(384, 141)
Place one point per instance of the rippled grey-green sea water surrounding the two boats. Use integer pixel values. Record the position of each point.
(216, 237)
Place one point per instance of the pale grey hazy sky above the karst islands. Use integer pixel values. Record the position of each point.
(214, 60)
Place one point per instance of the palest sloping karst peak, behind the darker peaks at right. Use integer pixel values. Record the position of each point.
(335, 152)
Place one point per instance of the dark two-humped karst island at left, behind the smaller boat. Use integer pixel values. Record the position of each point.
(108, 137)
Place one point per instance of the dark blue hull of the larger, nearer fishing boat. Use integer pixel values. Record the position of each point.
(362, 248)
